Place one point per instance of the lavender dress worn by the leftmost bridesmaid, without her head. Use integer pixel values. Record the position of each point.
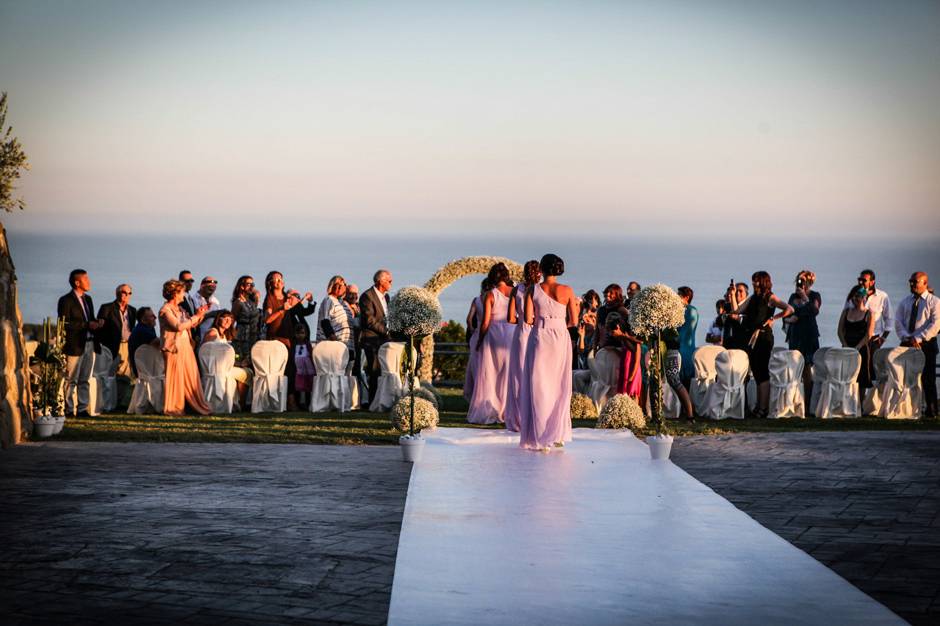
(488, 403)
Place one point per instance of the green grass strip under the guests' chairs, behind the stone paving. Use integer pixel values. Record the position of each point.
(359, 428)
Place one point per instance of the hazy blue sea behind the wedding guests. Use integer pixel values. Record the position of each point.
(43, 262)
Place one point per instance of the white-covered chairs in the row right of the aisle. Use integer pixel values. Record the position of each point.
(721, 387)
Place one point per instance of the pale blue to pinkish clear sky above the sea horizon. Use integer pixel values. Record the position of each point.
(736, 118)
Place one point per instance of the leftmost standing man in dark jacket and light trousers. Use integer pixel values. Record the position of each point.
(81, 341)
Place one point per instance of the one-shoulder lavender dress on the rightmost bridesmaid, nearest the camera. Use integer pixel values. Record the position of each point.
(546, 388)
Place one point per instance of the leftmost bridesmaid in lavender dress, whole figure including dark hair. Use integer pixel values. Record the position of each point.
(488, 402)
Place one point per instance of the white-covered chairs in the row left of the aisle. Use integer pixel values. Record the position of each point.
(333, 387)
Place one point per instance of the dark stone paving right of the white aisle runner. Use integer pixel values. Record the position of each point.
(865, 504)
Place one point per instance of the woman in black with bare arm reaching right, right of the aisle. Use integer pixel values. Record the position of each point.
(758, 318)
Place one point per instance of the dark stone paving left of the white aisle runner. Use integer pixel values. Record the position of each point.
(199, 533)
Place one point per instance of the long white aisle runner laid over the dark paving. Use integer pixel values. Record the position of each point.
(595, 534)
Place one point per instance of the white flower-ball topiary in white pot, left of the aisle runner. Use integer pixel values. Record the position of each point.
(414, 313)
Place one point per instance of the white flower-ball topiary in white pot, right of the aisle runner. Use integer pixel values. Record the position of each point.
(653, 311)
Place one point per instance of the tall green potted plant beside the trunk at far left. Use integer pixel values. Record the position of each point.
(49, 399)
